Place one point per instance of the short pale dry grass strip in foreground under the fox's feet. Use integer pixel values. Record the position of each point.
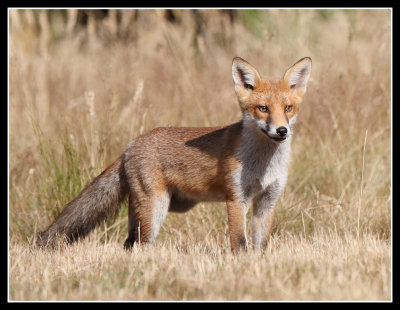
(324, 267)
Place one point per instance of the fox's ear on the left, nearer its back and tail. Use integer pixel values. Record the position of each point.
(245, 76)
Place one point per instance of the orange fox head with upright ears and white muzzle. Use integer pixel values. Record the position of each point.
(268, 106)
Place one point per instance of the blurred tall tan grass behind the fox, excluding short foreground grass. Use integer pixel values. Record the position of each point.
(83, 83)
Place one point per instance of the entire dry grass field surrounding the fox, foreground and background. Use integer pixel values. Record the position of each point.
(78, 94)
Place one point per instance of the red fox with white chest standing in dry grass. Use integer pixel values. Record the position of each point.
(174, 168)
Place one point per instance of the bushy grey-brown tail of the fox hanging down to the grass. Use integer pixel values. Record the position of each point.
(100, 199)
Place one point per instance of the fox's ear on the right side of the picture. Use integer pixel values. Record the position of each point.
(297, 76)
